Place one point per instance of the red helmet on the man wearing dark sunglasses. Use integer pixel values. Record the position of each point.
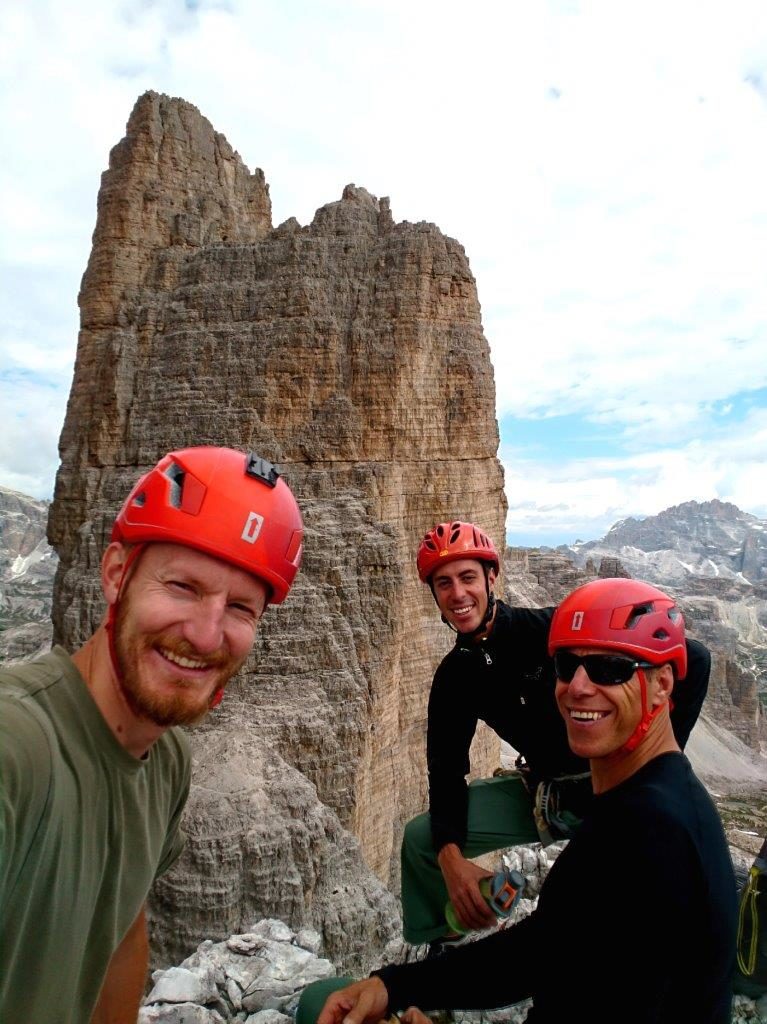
(623, 615)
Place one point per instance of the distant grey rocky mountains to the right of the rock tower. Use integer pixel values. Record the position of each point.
(712, 559)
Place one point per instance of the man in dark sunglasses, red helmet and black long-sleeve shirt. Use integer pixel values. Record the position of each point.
(636, 920)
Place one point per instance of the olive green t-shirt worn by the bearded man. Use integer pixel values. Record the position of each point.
(84, 830)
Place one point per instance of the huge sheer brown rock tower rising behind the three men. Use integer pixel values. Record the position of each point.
(351, 353)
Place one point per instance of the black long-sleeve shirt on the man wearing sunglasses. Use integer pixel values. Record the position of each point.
(636, 920)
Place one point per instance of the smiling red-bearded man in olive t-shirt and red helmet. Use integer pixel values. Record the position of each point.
(95, 774)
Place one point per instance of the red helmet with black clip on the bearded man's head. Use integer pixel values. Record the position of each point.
(225, 503)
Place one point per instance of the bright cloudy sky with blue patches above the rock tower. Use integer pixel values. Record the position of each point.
(605, 164)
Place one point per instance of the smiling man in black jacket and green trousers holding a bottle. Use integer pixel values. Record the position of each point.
(499, 672)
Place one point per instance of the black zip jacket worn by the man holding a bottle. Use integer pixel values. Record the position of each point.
(508, 681)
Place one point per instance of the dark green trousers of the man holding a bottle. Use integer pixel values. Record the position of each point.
(500, 816)
